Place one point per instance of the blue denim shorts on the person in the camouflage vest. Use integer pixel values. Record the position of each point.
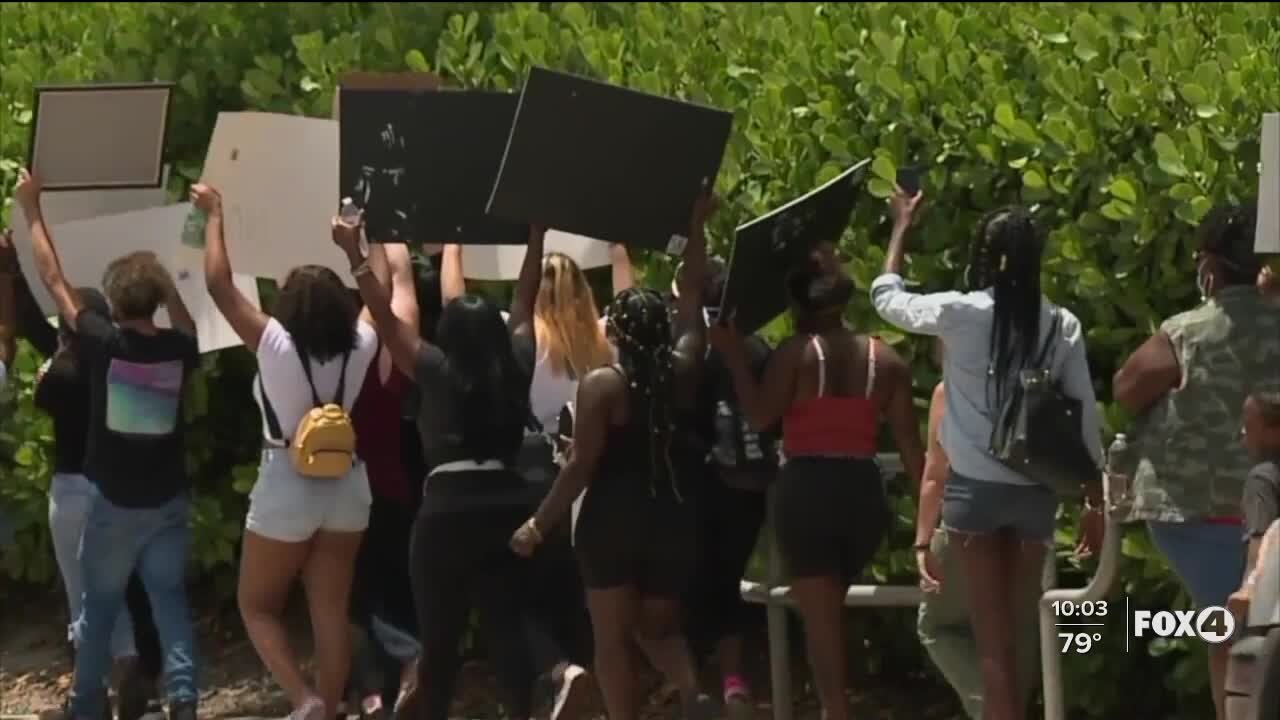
(1208, 558)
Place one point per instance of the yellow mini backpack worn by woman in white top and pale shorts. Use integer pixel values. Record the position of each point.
(324, 443)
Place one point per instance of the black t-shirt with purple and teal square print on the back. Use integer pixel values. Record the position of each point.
(136, 450)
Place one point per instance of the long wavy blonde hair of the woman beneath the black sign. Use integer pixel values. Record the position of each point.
(566, 320)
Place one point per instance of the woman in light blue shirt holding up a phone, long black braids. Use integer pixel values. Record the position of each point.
(1004, 521)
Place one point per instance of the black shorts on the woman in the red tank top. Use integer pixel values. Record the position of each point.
(831, 516)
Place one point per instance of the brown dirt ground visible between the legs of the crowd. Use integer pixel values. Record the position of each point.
(35, 673)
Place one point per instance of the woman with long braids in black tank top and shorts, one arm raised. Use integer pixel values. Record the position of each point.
(636, 534)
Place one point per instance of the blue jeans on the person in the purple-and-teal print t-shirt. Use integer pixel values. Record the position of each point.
(116, 541)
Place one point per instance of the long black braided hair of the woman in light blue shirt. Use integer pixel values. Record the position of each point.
(1007, 259)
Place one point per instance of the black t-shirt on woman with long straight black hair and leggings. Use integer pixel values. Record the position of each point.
(440, 421)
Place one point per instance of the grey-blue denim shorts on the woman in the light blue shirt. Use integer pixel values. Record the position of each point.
(981, 508)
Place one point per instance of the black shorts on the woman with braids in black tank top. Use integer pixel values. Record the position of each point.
(625, 536)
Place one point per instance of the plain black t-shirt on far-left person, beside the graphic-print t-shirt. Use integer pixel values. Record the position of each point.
(65, 395)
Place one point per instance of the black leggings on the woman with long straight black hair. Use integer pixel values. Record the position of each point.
(461, 562)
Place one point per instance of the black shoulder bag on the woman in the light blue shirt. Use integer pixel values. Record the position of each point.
(1039, 432)
